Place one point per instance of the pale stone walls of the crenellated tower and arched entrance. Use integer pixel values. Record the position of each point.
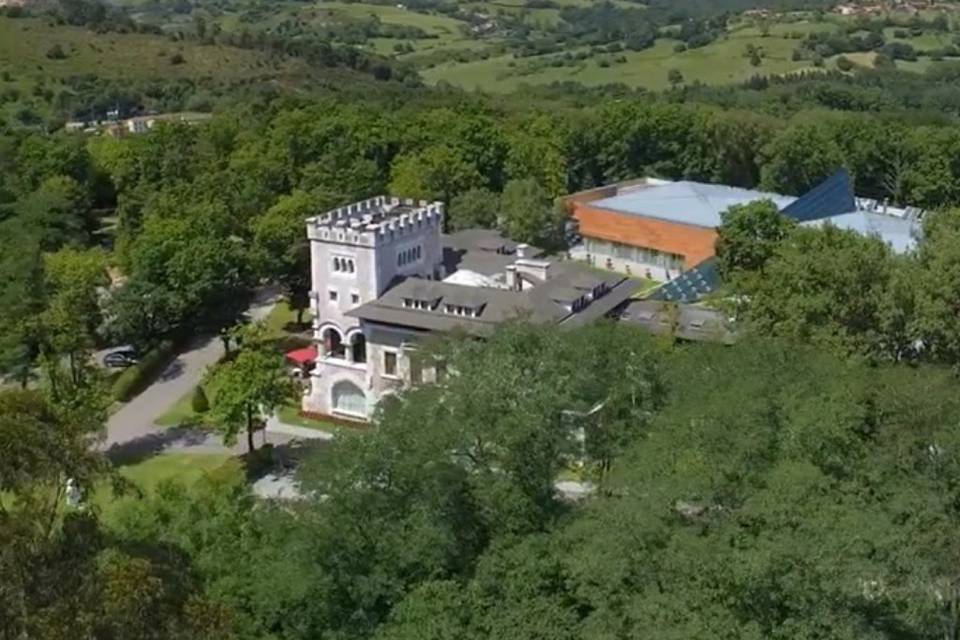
(357, 253)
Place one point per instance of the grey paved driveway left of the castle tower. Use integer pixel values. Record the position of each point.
(131, 432)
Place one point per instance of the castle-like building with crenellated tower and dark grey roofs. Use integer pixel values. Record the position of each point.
(385, 277)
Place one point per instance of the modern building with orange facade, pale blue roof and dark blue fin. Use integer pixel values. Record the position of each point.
(661, 229)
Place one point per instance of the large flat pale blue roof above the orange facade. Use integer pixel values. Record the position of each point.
(693, 203)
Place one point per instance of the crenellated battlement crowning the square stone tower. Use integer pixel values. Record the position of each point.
(376, 221)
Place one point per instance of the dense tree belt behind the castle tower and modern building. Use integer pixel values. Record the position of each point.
(197, 215)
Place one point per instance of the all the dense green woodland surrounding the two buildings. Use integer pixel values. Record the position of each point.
(799, 484)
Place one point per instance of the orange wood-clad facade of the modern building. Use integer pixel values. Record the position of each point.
(695, 244)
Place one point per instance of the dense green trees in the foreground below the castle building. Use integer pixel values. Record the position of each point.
(764, 490)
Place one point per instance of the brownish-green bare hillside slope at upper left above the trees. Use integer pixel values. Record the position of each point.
(52, 72)
